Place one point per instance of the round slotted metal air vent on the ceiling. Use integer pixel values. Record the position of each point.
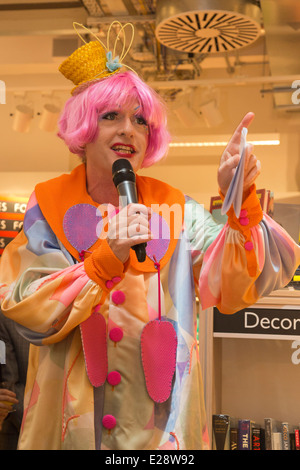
(207, 26)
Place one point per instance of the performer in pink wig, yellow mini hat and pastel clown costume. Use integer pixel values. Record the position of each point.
(113, 361)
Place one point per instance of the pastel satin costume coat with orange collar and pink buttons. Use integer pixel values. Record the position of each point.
(114, 359)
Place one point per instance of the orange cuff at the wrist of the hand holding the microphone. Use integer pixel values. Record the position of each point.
(104, 268)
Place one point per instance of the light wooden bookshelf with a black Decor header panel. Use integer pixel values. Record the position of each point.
(254, 375)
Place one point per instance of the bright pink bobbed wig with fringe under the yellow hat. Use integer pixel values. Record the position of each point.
(78, 124)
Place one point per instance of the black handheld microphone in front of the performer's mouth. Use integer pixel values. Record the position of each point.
(124, 180)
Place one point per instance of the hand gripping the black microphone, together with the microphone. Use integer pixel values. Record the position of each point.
(130, 227)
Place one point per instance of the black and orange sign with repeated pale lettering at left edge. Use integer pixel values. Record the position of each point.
(12, 210)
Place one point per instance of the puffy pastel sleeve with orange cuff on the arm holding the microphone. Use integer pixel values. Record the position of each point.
(44, 289)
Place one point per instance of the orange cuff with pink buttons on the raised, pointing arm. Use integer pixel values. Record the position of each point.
(250, 216)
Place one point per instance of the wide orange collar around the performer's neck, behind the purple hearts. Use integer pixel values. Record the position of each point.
(56, 196)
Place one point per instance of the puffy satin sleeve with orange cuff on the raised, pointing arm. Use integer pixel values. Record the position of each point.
(247, 258)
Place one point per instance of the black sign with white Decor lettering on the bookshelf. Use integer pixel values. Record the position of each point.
(272, 323)
